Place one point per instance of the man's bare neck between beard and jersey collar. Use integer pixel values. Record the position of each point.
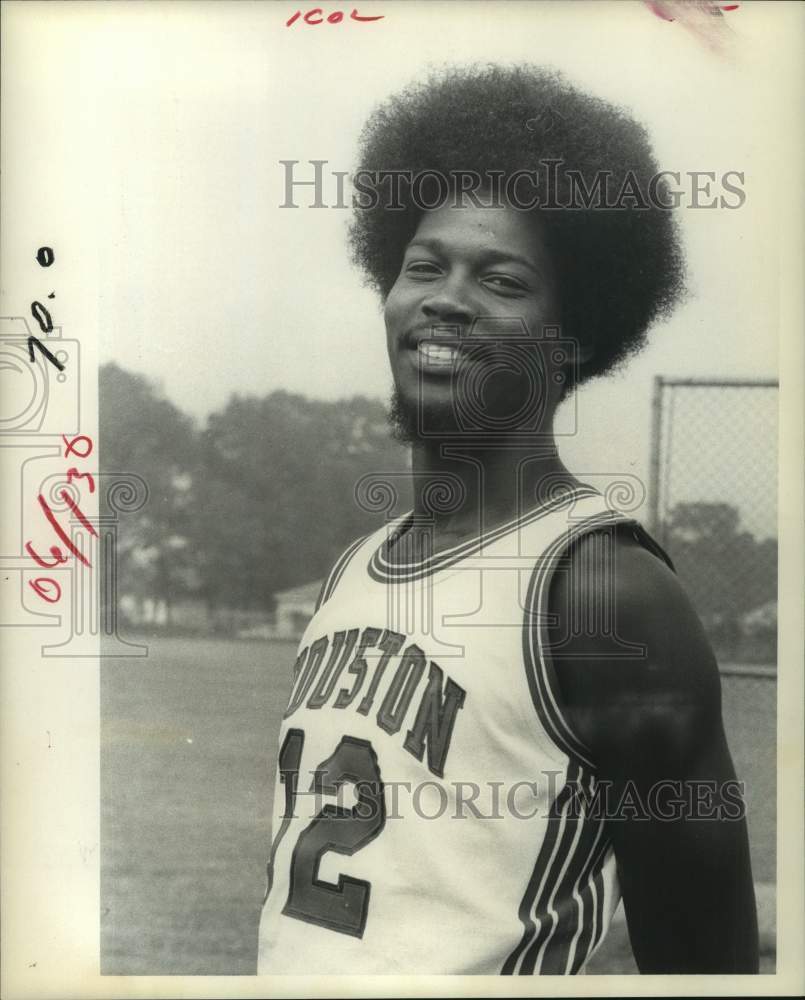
(471, 487)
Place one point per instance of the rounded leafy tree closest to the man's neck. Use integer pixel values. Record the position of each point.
(287, 469)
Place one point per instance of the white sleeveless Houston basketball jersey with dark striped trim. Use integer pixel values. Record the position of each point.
(428, 815)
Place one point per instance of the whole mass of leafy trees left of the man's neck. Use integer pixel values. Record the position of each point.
(262, 499)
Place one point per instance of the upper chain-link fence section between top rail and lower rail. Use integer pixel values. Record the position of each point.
(714, 506)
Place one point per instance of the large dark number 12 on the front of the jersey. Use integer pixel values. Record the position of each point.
(341, 906)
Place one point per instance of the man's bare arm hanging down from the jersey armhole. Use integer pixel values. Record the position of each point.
(653, 726)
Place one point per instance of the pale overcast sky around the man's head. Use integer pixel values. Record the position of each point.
(208, 286)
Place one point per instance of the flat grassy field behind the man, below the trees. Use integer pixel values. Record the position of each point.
(187, 759)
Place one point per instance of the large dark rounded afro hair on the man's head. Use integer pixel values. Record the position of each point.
(618, 269)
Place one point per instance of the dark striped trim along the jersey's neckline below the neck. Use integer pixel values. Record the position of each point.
(381, 570)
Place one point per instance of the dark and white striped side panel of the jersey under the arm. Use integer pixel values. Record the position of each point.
(562, 907)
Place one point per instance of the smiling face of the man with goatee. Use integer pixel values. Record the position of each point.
(464, 325)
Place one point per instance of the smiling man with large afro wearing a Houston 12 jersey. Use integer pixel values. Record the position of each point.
(505, 714)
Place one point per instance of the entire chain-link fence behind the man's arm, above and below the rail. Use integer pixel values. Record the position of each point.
(713, 507)
